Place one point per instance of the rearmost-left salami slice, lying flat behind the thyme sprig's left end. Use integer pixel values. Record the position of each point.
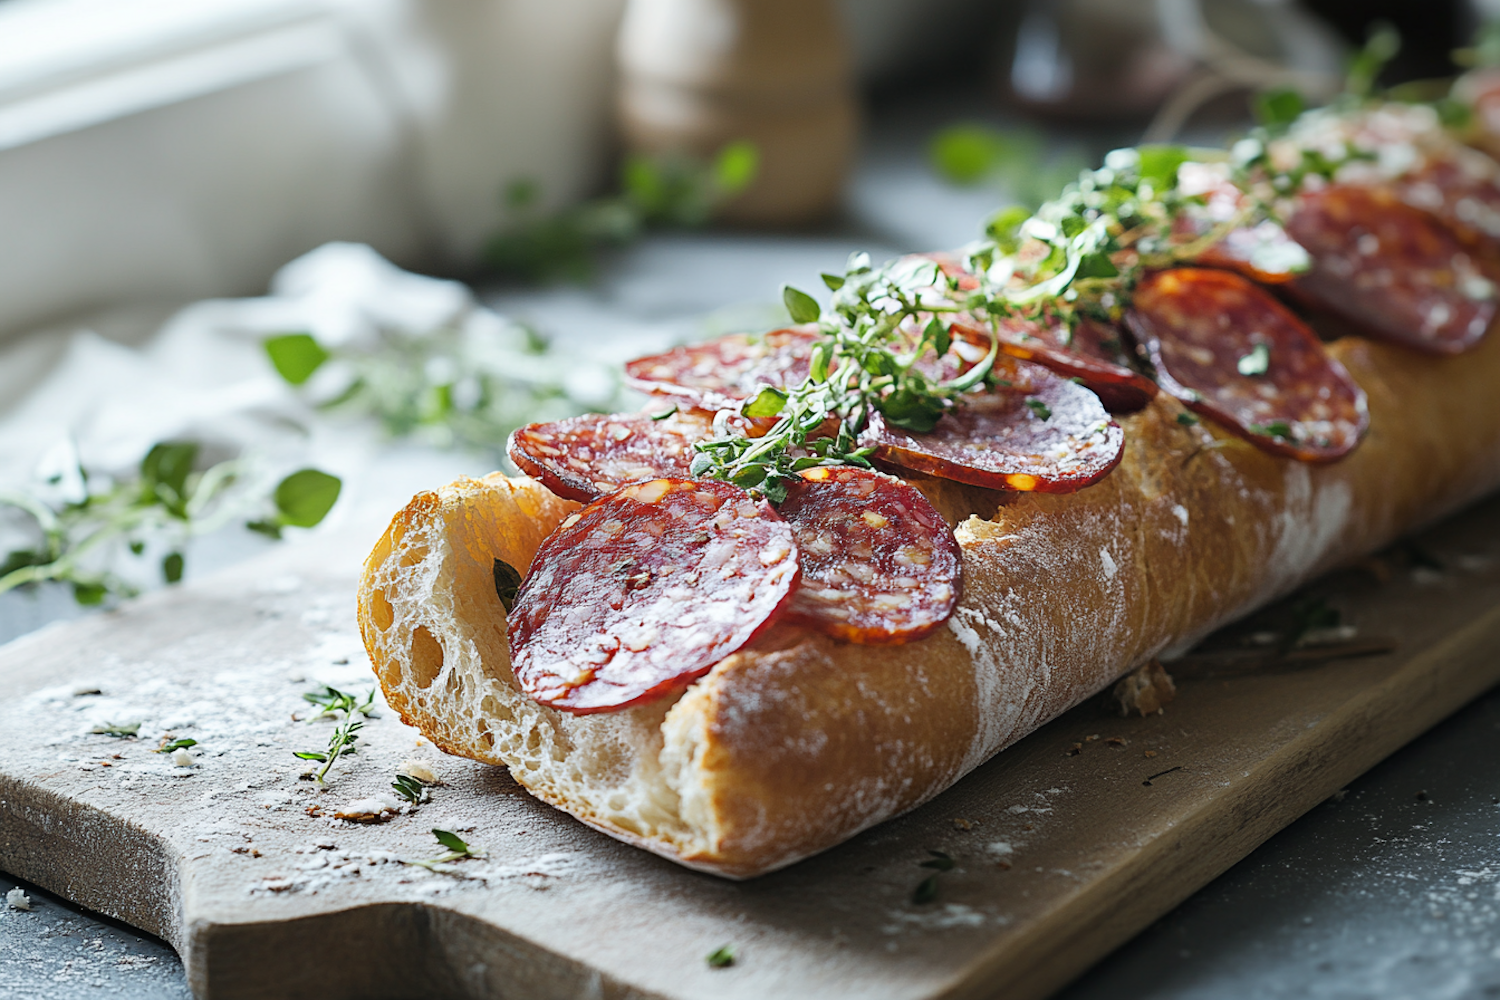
(721, 374)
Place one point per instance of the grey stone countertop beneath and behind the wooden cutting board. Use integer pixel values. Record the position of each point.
(1391, 890)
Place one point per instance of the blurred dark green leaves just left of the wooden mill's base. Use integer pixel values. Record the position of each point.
(655, 193)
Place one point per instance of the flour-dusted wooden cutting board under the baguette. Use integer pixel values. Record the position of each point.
(1064, 846)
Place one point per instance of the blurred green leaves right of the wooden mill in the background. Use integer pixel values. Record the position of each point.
(1015, 161)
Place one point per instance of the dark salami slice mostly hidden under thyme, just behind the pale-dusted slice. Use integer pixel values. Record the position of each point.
(1091, 355)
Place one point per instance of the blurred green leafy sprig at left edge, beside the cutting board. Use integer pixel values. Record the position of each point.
(167, 501)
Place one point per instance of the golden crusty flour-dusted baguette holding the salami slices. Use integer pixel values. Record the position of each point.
(800, 743)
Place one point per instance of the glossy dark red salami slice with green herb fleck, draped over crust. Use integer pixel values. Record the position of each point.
(1231, 352)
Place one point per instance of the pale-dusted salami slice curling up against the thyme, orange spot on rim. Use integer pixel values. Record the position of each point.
(1036, 433)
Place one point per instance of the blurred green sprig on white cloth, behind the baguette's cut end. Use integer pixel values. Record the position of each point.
(466, 386)
